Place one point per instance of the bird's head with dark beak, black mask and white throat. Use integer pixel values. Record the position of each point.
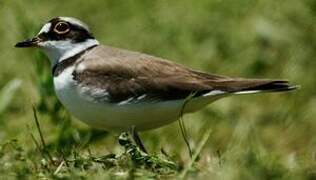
(61, 38)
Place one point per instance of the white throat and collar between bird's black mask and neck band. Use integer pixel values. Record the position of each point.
(58, 51)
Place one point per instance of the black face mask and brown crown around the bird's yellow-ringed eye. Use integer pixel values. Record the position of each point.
(76, 33)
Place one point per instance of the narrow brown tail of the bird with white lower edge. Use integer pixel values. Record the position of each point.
(249, 86)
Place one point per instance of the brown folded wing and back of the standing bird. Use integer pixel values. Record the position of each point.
(125, 74)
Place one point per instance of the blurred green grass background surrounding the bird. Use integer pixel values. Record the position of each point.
(257, 136)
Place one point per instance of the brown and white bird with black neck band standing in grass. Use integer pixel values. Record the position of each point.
(125, 91)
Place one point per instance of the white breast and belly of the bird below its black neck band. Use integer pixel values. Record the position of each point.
(115, 117)
